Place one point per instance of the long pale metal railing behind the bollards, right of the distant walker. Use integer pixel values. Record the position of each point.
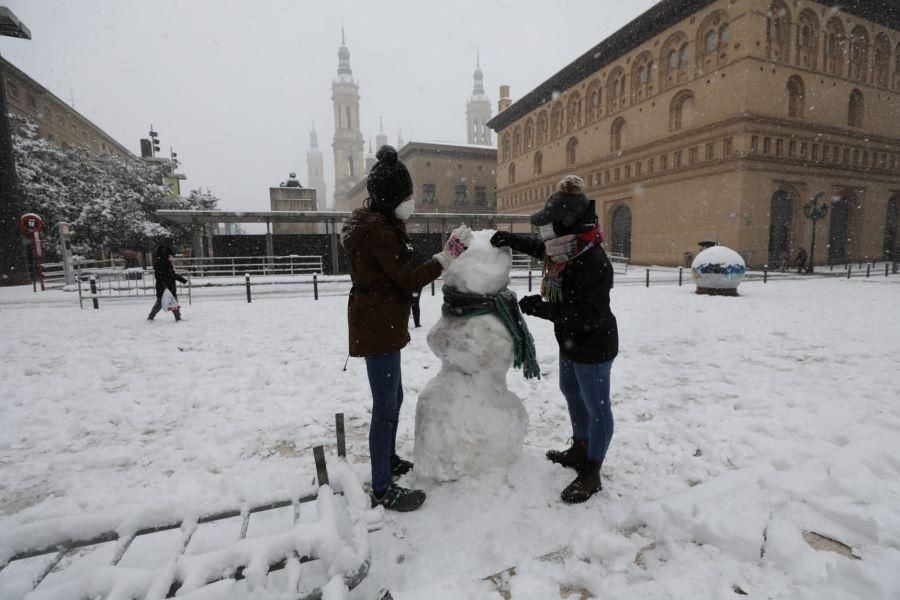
(237, 266)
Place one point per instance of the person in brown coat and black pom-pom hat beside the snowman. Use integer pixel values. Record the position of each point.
(380, 256)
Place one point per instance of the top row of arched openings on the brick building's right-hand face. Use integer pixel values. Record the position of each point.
(855, 54)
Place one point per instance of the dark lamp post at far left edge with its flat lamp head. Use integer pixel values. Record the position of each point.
(13, 266)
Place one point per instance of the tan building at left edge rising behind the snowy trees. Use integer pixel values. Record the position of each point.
(56, 121)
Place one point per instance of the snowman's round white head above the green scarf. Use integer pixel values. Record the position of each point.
(482, 269)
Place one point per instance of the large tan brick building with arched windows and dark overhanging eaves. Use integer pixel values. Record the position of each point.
(719, 119)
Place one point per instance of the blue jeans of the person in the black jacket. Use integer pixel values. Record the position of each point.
(586, 388)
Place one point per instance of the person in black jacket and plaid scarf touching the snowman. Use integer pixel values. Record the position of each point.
(578, 277)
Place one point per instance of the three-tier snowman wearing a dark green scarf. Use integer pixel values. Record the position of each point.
(467, 420)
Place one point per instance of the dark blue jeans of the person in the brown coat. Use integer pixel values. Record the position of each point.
(386, 383)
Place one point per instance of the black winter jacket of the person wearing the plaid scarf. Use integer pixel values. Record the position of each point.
(585, 326)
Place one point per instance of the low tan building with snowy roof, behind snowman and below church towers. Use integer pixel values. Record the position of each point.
(447, 178)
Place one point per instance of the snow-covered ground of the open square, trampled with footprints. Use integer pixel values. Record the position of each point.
(742, 425)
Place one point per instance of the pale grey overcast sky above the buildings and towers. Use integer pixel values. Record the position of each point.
(233, 85)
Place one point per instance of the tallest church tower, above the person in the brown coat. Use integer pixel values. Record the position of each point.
(348, 145)
